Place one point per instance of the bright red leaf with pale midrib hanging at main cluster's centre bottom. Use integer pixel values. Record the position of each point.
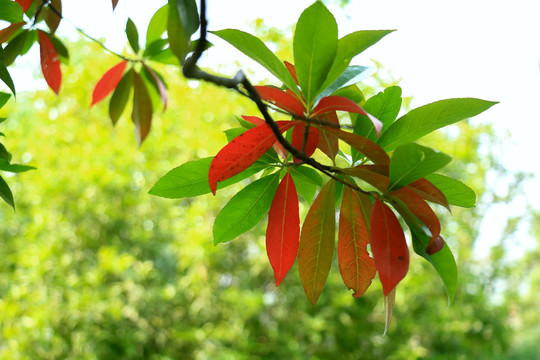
(283, 231)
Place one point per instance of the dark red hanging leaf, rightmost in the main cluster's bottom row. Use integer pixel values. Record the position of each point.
(388, 246)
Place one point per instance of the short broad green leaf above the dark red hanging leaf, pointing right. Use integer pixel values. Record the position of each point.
(411, 162)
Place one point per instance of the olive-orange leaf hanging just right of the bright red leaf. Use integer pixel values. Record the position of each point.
(317, 243)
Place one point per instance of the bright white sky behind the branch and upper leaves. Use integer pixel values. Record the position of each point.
(489, 49)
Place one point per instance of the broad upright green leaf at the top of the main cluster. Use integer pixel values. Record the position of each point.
(315, 46)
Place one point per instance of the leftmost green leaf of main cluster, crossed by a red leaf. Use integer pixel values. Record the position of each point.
(191, 179)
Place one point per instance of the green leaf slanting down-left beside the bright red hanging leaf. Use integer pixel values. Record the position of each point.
(246, 209)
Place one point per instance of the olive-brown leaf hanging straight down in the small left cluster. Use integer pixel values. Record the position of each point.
(142, 108)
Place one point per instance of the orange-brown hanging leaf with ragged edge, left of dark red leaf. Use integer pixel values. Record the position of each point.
(356, 266)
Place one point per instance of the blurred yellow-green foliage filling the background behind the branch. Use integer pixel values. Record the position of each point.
(92, 267)
